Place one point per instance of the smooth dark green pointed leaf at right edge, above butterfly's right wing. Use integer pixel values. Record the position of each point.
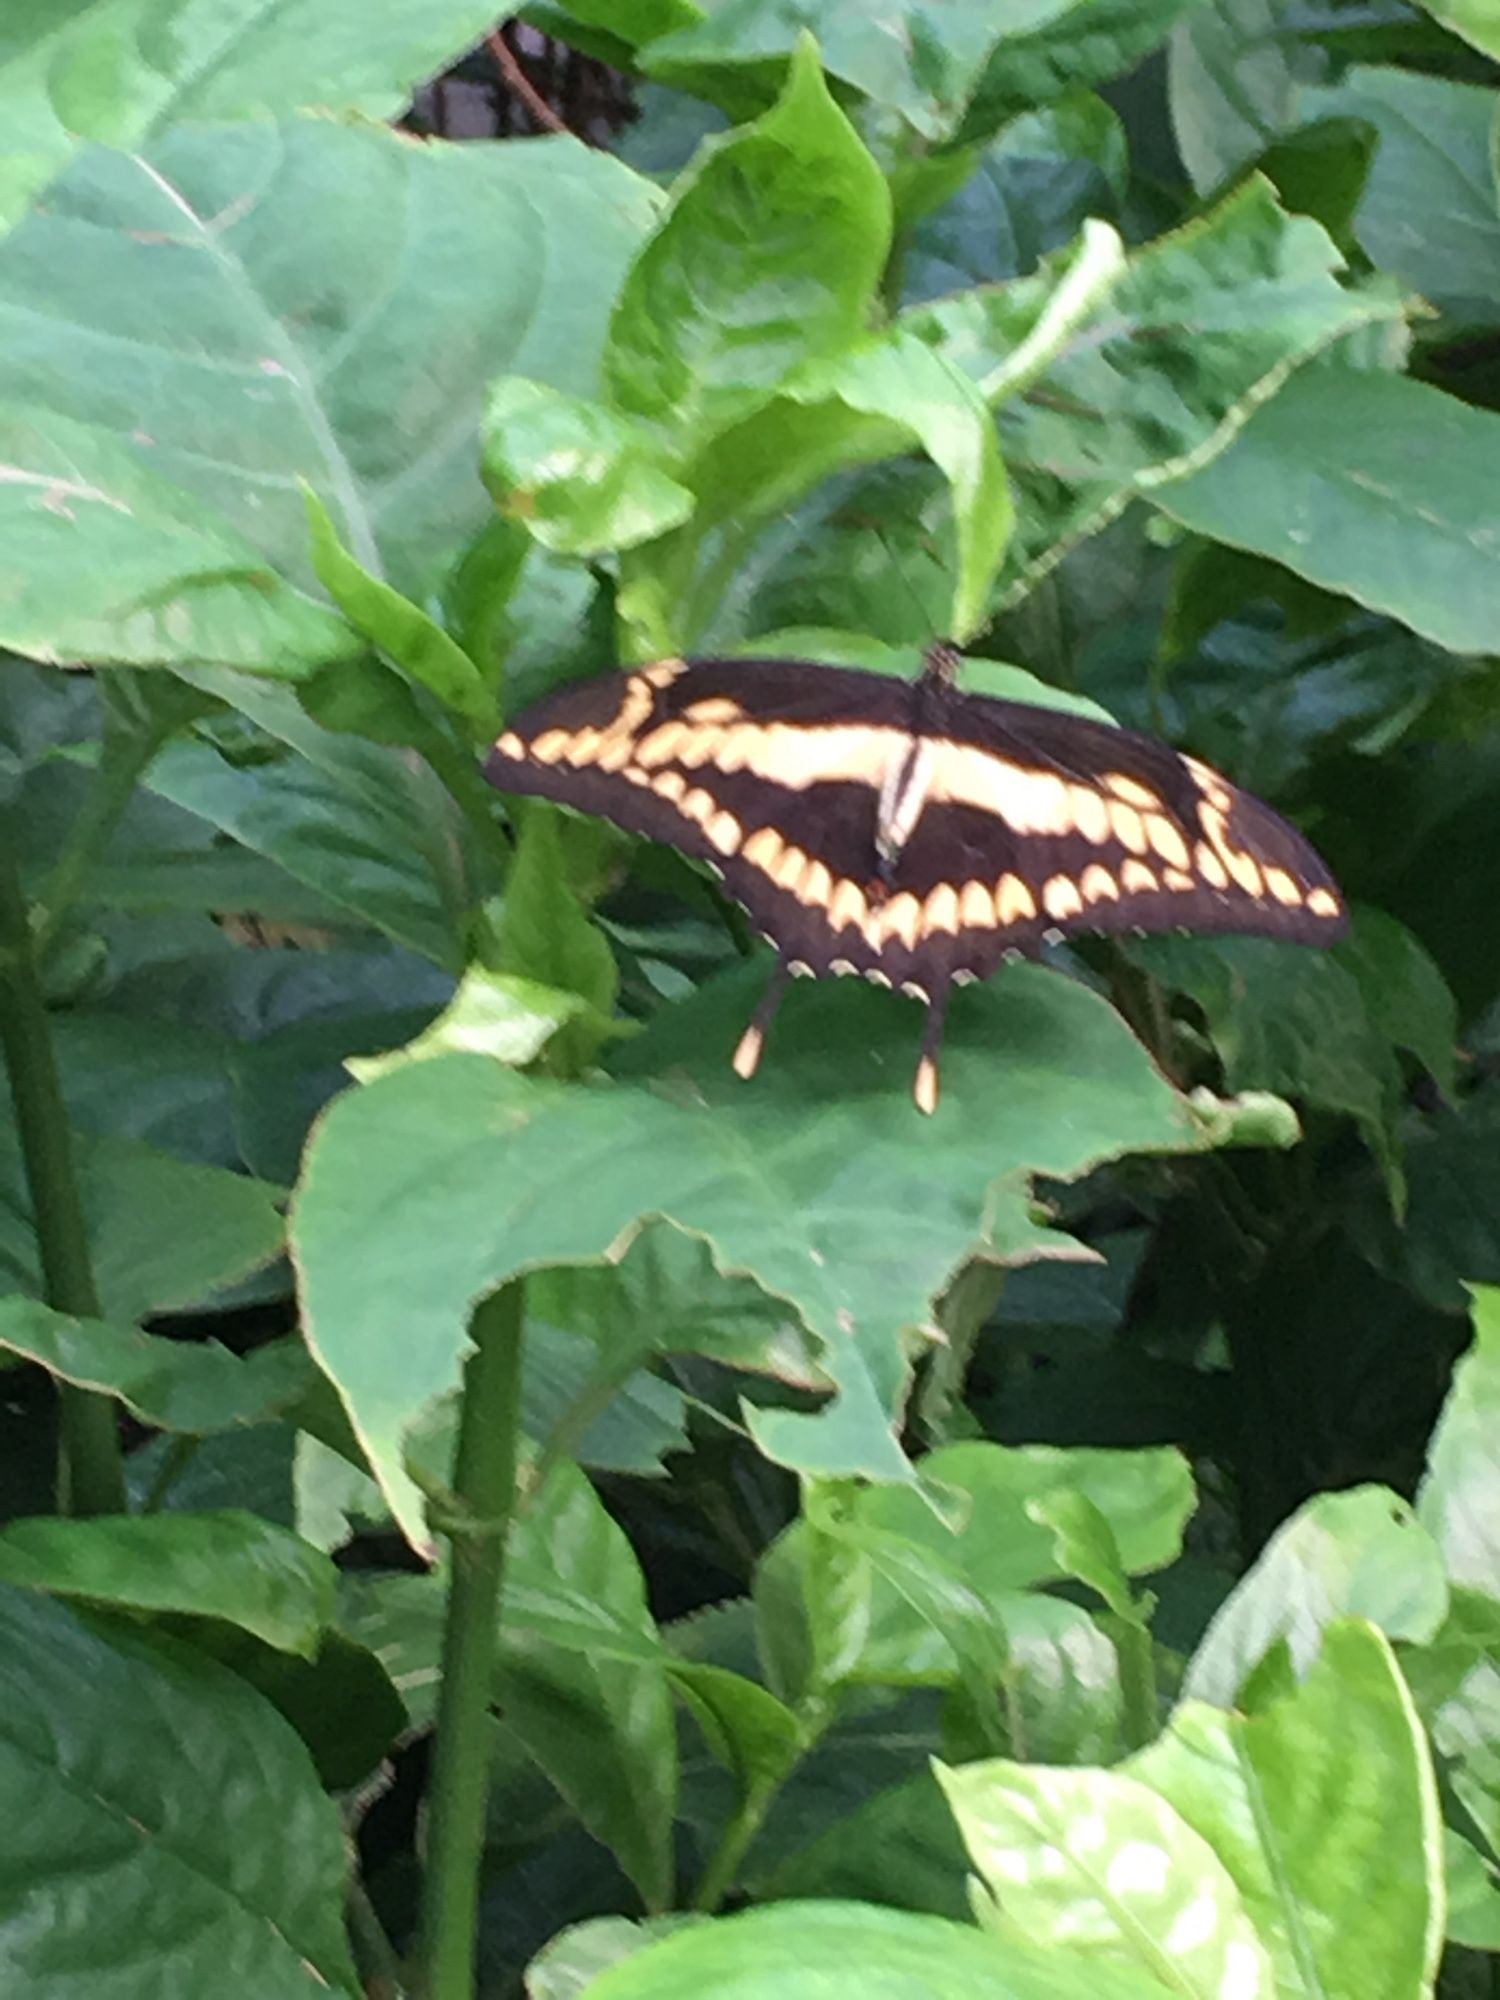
(1369, 485)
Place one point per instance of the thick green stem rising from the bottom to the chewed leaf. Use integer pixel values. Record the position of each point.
(485, 1493)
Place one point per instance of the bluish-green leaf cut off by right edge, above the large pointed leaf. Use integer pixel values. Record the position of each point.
(1429, 211)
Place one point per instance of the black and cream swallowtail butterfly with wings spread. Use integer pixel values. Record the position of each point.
(909, 831)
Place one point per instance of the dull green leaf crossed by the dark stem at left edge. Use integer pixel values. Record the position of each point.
(223, 1227)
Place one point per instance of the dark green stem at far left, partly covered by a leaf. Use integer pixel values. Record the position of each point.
(91, 1475)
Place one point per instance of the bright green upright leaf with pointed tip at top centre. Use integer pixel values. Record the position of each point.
(711, 321)
